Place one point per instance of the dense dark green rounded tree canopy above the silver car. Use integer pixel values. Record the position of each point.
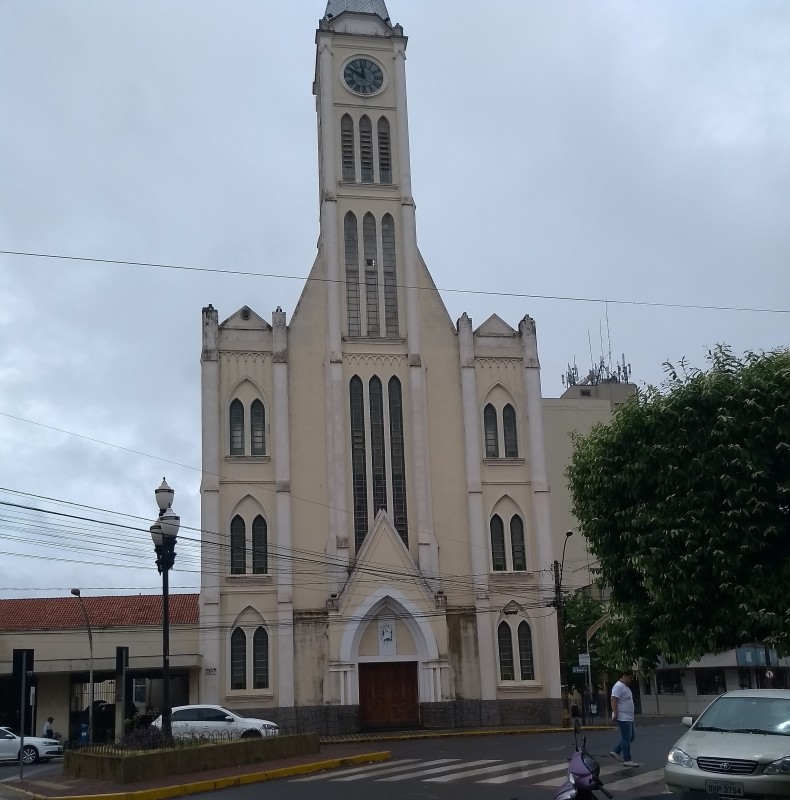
(684, 498)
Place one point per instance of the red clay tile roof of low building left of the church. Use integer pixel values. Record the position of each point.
(111, 611)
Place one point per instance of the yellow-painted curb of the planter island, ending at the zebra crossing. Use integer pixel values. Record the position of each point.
(164, 792)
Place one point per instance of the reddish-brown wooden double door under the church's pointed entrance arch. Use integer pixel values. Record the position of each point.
(388, 695)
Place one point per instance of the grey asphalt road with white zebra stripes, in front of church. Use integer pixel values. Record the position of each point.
(480, 767)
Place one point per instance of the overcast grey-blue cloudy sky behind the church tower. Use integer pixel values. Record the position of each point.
(636, 152)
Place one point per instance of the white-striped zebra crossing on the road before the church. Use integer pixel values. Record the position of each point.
(486, 771)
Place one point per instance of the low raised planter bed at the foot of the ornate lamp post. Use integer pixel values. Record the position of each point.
(128, 768)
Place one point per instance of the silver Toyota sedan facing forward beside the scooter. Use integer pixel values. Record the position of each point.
(738, 747)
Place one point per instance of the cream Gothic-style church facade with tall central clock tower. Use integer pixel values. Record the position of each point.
(377, 543)
